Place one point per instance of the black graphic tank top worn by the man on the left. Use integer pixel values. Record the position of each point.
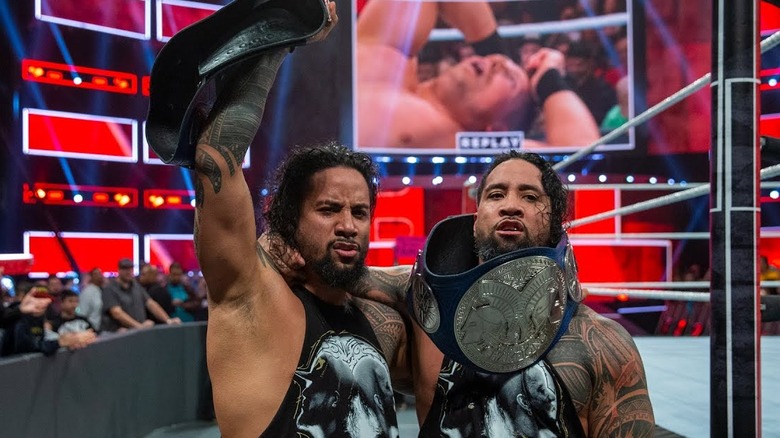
(341, 387)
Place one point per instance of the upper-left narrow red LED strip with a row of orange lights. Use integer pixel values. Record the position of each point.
(79, 77)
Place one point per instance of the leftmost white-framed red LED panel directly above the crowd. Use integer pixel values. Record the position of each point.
(101, 250)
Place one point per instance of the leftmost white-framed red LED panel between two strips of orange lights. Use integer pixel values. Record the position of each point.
(73, 135)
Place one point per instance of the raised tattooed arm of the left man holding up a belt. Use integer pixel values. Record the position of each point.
(224, 216)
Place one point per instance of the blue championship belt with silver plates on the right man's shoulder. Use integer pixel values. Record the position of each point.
(497, 317)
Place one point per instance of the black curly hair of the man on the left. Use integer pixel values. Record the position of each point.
(292, 182)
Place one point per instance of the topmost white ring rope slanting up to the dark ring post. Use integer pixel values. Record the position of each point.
(693, 87)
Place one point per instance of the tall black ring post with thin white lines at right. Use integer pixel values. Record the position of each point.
(735, 392)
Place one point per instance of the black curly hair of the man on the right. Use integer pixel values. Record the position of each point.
(551, 183)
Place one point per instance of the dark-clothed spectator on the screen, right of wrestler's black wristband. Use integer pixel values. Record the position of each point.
(580, 73)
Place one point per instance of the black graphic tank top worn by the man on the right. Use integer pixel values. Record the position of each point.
(528, 403)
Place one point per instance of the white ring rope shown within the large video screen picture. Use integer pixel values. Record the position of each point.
(545, 27)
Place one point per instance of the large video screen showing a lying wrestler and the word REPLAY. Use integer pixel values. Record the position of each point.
(455, 77)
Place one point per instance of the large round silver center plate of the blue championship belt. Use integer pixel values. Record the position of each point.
(509, 317)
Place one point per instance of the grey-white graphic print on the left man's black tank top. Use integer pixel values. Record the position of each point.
(345, 391)
